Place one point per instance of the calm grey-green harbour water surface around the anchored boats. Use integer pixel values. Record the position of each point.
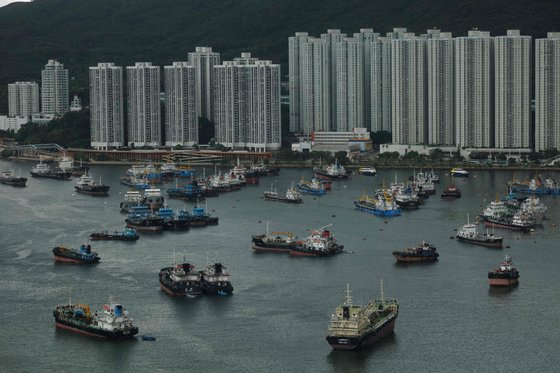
(276, 321)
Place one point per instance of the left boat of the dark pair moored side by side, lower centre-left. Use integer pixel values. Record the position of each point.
(180, 280)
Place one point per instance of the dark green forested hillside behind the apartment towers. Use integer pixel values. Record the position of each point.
(81, 33)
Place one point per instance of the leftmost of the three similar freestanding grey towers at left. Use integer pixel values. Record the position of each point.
(106, 105)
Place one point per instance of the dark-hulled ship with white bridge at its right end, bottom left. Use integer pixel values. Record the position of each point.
(110, 322)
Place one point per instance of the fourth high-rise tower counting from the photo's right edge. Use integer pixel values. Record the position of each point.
(441, 88)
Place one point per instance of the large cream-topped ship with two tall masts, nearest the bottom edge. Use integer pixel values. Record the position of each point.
(354, 327)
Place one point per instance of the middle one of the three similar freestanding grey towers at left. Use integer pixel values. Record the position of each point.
(143, 104)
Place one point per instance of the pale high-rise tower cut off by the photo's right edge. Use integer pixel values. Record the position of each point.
(547, 92)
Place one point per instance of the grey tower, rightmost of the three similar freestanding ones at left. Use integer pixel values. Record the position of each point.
(181, 121)
